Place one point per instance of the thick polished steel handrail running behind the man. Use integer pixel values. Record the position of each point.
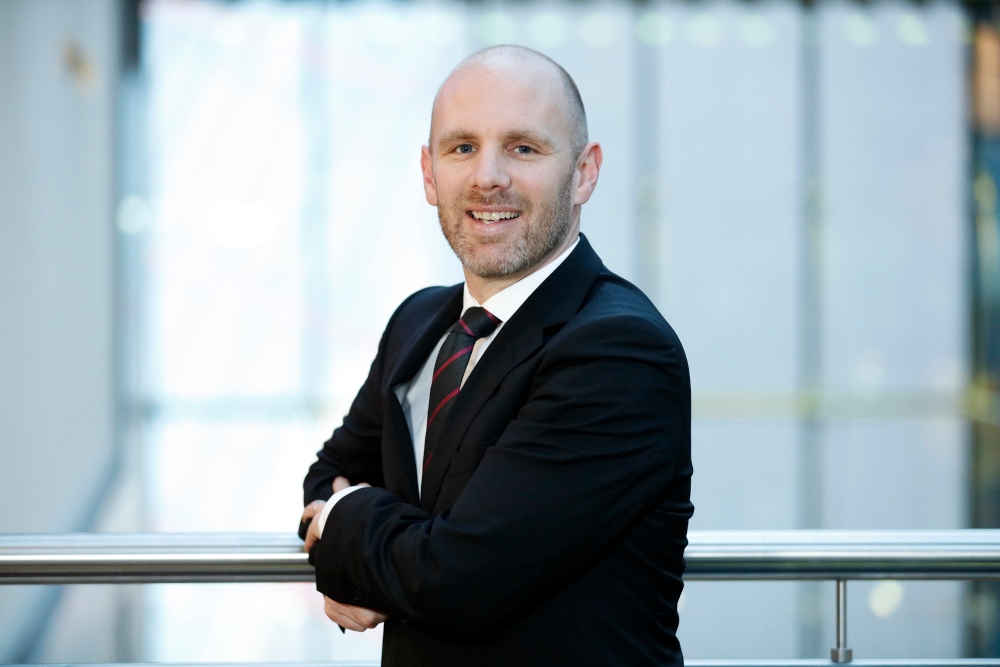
(715, 555)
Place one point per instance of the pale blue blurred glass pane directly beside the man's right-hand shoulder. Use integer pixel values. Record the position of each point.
(730, 159)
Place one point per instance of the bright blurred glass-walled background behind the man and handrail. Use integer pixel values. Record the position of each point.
(209, 210)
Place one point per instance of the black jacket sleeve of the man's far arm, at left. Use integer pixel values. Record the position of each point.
(355, 448)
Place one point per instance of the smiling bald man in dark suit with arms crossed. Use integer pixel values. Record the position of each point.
(526, 436)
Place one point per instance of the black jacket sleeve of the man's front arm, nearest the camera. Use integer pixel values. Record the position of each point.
(598, 442)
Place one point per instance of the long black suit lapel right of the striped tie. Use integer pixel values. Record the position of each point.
(554, 302)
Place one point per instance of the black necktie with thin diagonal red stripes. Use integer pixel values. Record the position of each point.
(449, 369)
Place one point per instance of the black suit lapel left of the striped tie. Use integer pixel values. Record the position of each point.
(406, 365)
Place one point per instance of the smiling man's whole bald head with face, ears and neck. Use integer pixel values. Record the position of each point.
(508, 164)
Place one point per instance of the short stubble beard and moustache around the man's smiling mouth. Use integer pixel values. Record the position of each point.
(544, 227)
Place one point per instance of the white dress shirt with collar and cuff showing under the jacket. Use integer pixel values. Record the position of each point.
(415, 395)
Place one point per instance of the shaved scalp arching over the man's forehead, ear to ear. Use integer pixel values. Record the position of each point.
(510, 56)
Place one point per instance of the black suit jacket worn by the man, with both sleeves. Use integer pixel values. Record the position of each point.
(552, 532)
